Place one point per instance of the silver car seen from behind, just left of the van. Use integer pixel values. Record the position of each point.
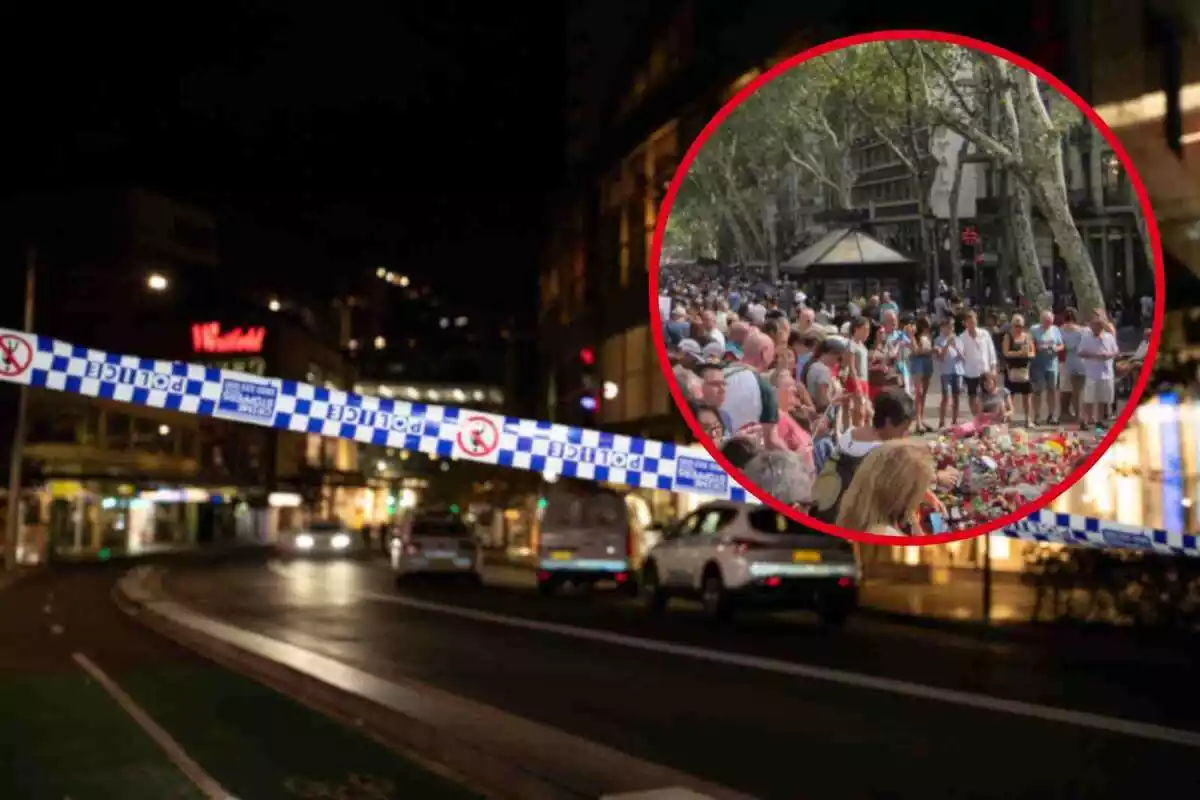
(437, 545)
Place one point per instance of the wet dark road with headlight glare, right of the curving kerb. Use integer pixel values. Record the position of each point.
(748, 705)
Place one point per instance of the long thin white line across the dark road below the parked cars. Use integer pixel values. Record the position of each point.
(860, 681)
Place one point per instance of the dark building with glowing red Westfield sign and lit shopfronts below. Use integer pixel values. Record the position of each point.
(141, 274)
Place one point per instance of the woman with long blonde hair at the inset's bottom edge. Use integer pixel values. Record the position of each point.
(889, 490)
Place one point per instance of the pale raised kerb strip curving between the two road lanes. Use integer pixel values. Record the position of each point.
(555, 766)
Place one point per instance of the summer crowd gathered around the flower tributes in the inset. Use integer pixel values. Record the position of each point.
(830, 410)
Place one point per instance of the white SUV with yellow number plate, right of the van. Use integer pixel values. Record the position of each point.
(733, 556)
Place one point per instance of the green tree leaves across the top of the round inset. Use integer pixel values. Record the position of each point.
(797, 133)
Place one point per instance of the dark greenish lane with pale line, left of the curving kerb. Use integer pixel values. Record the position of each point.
(212, 733)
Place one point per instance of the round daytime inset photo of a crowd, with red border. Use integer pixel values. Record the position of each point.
(907, 285)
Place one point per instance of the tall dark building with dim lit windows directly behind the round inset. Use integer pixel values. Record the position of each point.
(685, 61)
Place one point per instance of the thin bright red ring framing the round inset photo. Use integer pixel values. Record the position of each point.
(837, 45)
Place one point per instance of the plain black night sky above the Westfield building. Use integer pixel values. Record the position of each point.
(425, 130)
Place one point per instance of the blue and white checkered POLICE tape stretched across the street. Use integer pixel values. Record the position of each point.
(551, 449)
